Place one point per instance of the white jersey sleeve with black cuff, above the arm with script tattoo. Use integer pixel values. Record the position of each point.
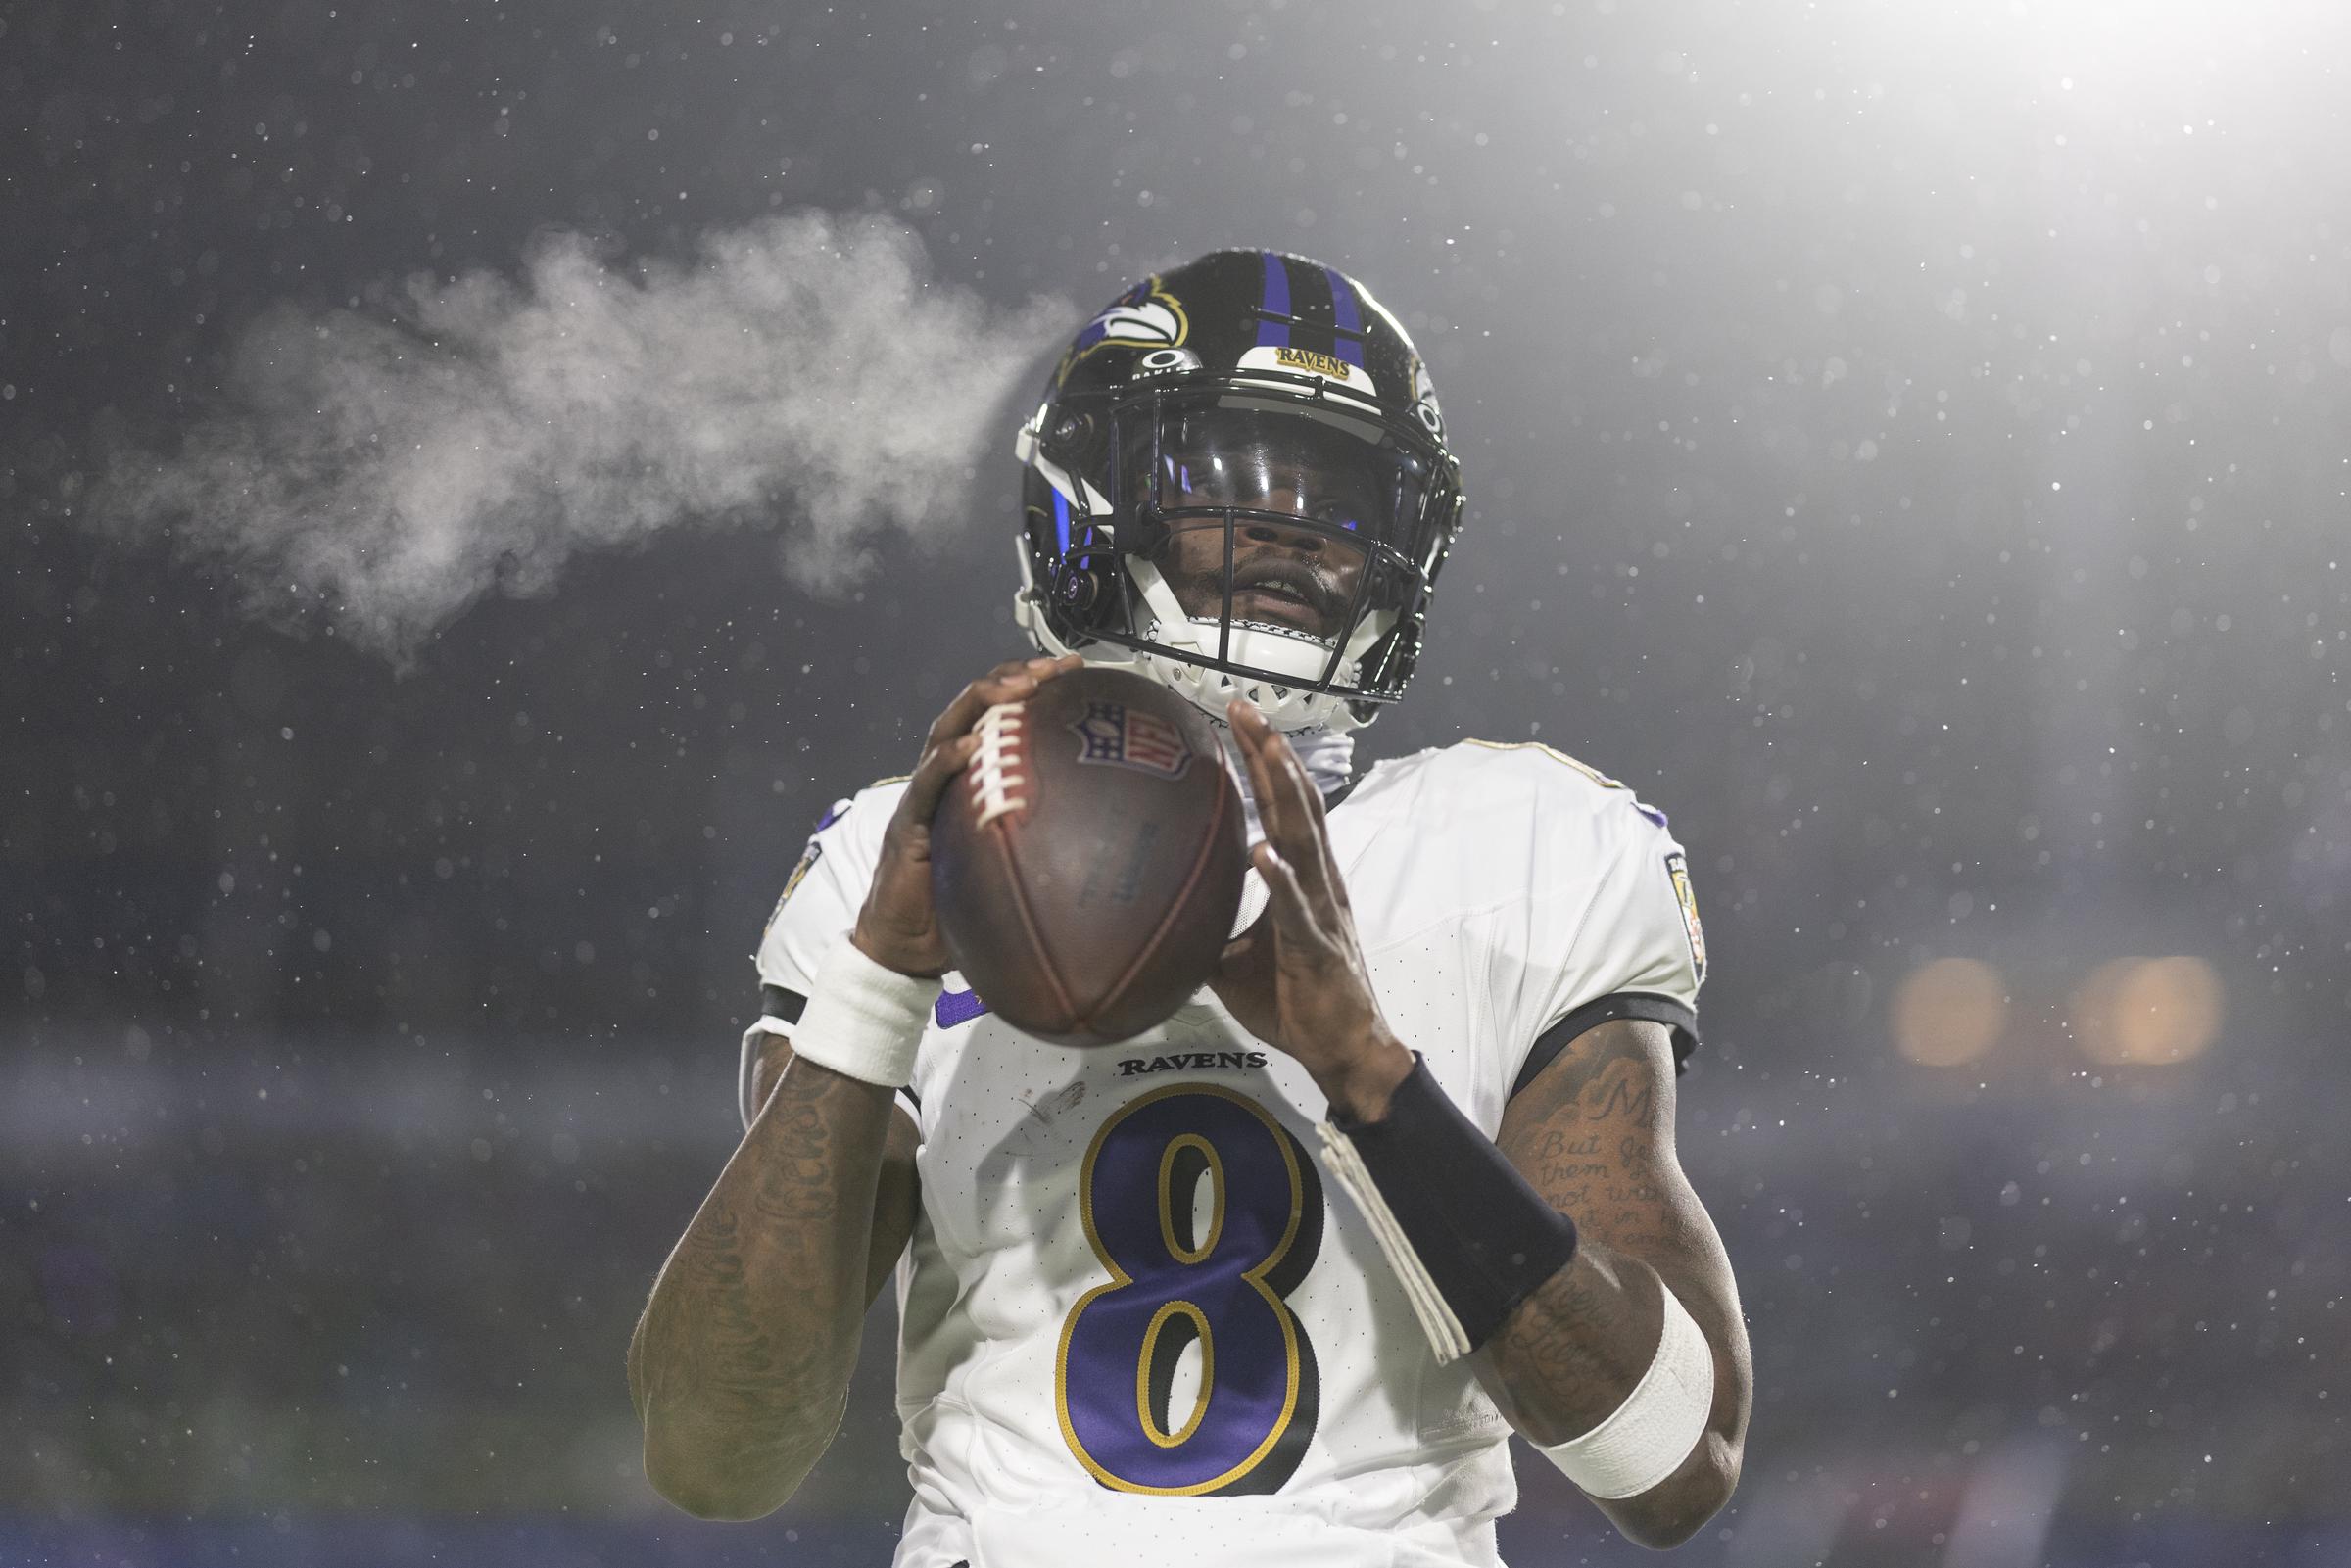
(1626, 946)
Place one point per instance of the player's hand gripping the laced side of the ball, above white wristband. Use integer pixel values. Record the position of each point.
(897, 927)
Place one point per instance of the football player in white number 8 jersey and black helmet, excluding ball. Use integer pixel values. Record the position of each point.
(1278, 1280)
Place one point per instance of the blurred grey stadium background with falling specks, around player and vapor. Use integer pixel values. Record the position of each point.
(1905, 443)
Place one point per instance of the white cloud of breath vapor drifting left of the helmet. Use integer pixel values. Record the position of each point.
(805, 373)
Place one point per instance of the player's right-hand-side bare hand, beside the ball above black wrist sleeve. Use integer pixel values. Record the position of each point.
(1297, 979)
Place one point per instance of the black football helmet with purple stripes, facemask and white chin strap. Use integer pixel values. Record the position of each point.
(1240, 485)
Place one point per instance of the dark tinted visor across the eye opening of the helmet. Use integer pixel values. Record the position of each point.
(1275, 457)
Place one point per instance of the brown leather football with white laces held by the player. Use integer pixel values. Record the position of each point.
(1087, 864)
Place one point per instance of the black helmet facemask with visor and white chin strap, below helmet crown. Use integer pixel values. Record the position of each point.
(1261, 540)
